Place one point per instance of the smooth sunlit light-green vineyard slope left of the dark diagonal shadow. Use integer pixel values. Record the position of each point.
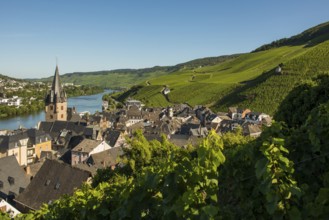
(207, 85)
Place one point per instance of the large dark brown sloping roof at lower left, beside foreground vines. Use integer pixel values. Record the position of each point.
(53, 180)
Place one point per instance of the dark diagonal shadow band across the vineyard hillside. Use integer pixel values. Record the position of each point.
(234, 97)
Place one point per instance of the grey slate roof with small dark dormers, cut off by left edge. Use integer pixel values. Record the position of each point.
(13, 179)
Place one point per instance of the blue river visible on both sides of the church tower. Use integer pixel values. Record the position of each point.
(90, 103)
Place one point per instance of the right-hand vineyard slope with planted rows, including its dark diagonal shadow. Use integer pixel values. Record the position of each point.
(268, 91)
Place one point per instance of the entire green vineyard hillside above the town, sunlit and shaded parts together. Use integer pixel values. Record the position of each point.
(248, 80)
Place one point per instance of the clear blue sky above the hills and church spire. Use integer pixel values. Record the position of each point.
(89, 35)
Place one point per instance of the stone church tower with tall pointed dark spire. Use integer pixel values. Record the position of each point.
(56, 101)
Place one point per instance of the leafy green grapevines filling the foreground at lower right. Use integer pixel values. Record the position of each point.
(284, 174)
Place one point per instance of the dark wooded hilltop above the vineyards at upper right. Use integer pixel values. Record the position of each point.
(310, 37)
